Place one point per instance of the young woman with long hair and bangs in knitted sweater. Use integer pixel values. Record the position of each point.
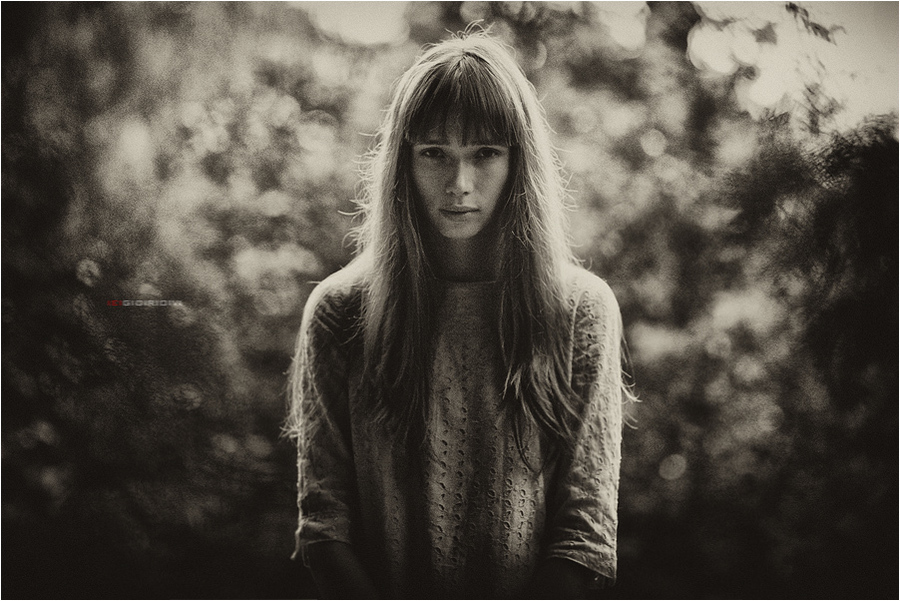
(456, 391)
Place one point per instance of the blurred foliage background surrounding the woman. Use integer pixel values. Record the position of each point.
(207, 153)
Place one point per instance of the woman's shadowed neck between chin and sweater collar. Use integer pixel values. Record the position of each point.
(469, 260)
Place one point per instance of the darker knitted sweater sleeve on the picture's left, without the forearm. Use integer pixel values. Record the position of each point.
(327, 493)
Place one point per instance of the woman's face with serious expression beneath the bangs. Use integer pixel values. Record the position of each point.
(459, 186)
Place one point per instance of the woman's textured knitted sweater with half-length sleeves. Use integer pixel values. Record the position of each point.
(469, 516)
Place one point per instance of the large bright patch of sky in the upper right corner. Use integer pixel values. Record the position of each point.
(846, 51)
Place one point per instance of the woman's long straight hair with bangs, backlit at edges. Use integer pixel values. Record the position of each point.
(472, 82)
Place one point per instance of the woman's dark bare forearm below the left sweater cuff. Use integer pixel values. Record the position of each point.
(338, 573)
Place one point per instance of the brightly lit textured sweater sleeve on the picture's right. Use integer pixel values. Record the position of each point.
(584, 522)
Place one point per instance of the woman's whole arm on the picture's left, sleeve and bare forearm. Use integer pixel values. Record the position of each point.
(327, 494)
